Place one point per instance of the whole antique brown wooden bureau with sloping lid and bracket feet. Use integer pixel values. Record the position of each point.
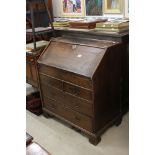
(80, 83)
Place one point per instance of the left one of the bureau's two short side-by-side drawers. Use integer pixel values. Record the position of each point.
(51, 81)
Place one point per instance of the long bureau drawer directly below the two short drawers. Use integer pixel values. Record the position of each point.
(75, 103)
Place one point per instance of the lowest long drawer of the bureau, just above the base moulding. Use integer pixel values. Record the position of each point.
(70, 115)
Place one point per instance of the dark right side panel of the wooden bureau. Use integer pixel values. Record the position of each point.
(107, 88)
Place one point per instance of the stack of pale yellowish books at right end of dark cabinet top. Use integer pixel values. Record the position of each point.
(116, 26)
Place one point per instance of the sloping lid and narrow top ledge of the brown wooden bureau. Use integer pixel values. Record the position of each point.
(81, 58)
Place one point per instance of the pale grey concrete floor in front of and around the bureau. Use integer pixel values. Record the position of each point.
(59, 139)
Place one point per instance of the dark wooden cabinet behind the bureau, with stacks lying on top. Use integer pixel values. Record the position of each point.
(122, 38)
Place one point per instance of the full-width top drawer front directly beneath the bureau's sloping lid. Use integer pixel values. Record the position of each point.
(66, 76)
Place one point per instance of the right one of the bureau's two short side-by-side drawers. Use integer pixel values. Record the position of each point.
(77, 91)
